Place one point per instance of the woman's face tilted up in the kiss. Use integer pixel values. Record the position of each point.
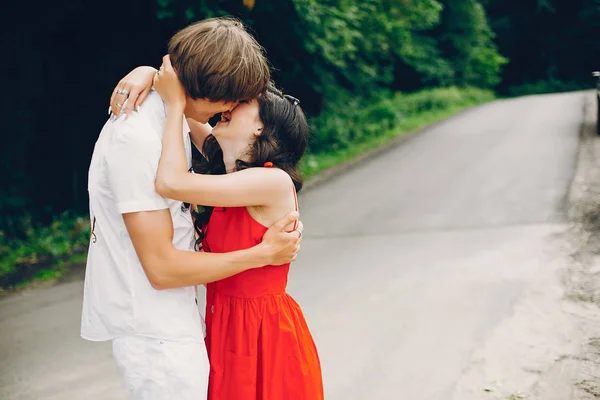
(241, 124)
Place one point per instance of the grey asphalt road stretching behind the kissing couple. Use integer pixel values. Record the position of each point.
(409, 261)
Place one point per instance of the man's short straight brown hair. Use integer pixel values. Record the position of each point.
(217, 59)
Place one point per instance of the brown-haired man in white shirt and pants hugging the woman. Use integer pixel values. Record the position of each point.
(141, 270)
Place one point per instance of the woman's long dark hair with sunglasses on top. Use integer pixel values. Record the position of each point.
(283, 141)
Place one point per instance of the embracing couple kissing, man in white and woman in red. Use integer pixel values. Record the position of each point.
(159, 230)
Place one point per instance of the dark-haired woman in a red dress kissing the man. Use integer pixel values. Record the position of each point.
(259, 345)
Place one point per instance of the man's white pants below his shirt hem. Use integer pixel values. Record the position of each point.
(157, 369)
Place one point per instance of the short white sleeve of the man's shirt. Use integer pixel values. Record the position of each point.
(132, 163)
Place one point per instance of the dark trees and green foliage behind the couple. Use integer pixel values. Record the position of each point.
(345, 60)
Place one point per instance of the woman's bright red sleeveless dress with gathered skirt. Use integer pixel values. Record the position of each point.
(259, 345)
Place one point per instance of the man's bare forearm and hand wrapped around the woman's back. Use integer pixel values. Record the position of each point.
(166, 267)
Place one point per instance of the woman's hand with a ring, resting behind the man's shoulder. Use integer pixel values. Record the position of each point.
(131, 91)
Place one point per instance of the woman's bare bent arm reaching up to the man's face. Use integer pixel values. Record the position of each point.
(250, 187)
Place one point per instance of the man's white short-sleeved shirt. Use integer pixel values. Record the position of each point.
(118, 299)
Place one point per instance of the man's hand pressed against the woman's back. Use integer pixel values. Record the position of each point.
(282, 247)
